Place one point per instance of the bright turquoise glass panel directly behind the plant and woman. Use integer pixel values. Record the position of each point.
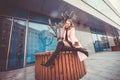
(40, 39)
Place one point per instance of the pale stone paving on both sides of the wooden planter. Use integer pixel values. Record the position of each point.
(100, 66)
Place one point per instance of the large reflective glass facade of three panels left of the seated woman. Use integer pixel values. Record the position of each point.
(39, 38)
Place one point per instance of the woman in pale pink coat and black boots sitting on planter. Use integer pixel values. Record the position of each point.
(67, 42)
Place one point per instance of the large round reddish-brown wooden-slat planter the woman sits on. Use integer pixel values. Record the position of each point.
(67, 67)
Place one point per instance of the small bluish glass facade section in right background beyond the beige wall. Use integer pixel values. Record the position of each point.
(100, 40)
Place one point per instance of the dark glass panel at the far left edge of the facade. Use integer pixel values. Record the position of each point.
(5, 28)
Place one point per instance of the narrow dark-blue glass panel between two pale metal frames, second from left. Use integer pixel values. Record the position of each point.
(16, 54)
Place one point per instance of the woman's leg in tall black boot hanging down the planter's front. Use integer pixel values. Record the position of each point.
(59, 47)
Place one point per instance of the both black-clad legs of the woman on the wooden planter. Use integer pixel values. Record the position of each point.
(62, 47)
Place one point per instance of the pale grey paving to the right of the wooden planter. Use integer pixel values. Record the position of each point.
(103, 66)
